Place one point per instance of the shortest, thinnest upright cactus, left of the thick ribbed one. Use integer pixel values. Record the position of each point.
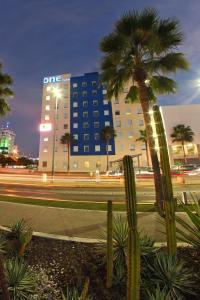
(109, 244)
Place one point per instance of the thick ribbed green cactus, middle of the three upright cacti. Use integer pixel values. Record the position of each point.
(133, 254)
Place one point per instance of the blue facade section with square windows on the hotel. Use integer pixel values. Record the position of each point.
(89, 114)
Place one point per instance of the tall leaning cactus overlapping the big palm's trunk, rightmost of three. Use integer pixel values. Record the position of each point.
(169, 201)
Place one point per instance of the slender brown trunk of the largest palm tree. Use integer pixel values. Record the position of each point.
(143, 95)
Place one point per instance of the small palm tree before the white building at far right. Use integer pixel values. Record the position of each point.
(182, 134)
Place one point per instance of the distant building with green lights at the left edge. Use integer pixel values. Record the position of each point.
(7, 141)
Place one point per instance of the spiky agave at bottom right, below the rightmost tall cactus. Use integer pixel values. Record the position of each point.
(171, 276)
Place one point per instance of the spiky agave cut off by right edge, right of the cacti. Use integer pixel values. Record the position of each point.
(189, 231)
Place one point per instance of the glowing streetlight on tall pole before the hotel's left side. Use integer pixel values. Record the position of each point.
(57, 94)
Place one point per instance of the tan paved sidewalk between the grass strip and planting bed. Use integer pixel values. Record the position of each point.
(72, 222)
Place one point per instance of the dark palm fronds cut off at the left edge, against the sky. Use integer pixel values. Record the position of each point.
(5, 92)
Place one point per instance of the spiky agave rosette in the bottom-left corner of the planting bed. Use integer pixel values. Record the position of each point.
(21, 279)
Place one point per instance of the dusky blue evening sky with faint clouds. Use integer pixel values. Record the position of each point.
(50, 37)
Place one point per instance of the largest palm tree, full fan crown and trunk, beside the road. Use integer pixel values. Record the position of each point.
(140, 52)
